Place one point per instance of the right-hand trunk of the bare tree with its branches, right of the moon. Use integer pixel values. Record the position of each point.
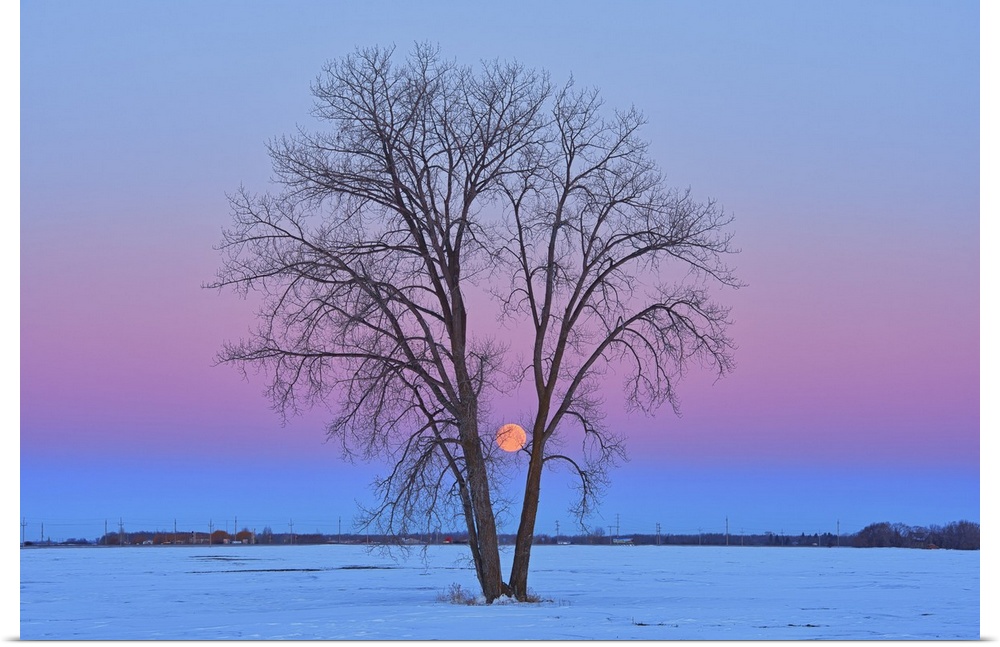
(610, 267)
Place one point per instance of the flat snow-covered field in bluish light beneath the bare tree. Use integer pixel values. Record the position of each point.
(591, 592)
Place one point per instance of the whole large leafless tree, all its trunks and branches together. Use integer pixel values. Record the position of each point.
(431, 176)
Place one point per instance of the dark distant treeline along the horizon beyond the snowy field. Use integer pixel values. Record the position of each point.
(959, 535)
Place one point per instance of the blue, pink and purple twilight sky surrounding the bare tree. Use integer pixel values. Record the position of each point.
(843, 136)
